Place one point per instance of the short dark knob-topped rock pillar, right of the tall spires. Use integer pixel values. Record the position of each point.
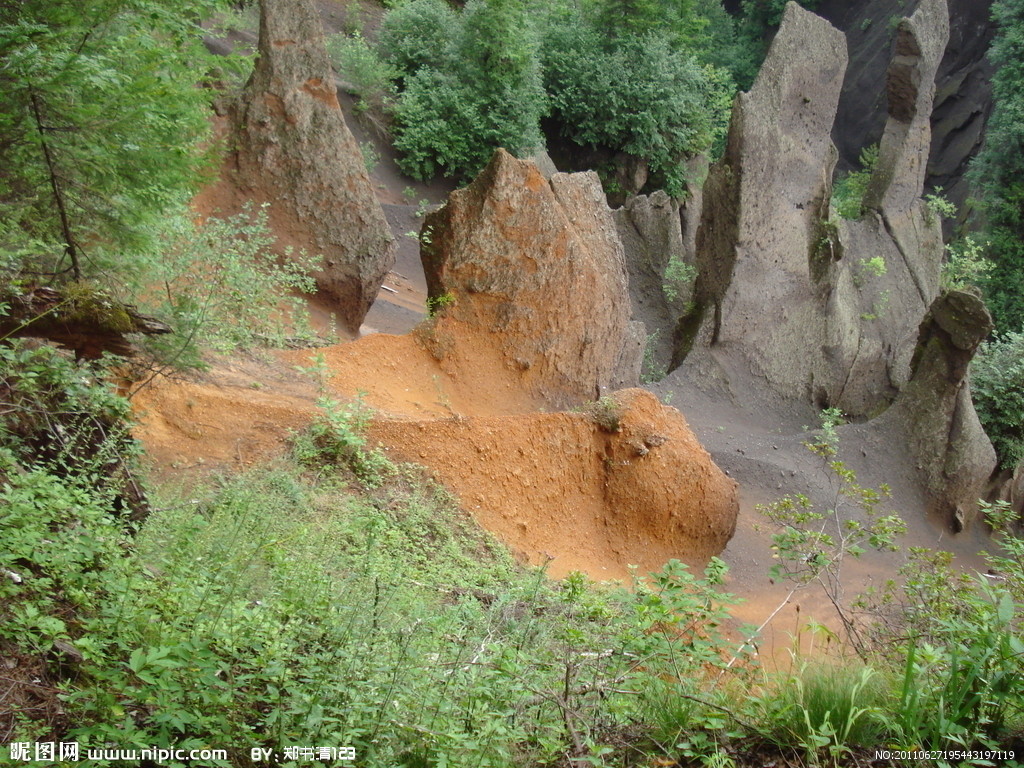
(934, 414)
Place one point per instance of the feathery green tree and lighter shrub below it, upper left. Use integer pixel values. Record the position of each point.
(104, 139)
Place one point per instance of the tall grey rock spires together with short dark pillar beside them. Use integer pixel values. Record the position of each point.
(796, 309)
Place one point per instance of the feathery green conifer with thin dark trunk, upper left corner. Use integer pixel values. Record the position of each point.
(101, 126)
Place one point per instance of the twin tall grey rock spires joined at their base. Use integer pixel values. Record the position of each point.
(823, 312)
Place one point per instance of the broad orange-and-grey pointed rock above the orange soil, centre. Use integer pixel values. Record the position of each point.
(539, 267)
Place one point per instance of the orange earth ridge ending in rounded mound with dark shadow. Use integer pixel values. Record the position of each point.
(579, 489)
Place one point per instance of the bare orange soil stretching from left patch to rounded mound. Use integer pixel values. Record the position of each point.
(551, 486)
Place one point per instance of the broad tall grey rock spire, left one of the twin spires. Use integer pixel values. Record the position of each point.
(759, 295)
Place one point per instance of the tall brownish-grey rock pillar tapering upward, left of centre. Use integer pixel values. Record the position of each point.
(296, 152)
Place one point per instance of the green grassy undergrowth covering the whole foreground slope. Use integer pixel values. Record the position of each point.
(335, 600)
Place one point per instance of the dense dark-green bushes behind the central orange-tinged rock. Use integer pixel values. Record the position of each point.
(650, 79)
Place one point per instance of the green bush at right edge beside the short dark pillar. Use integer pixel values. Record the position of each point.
(998, 389)
